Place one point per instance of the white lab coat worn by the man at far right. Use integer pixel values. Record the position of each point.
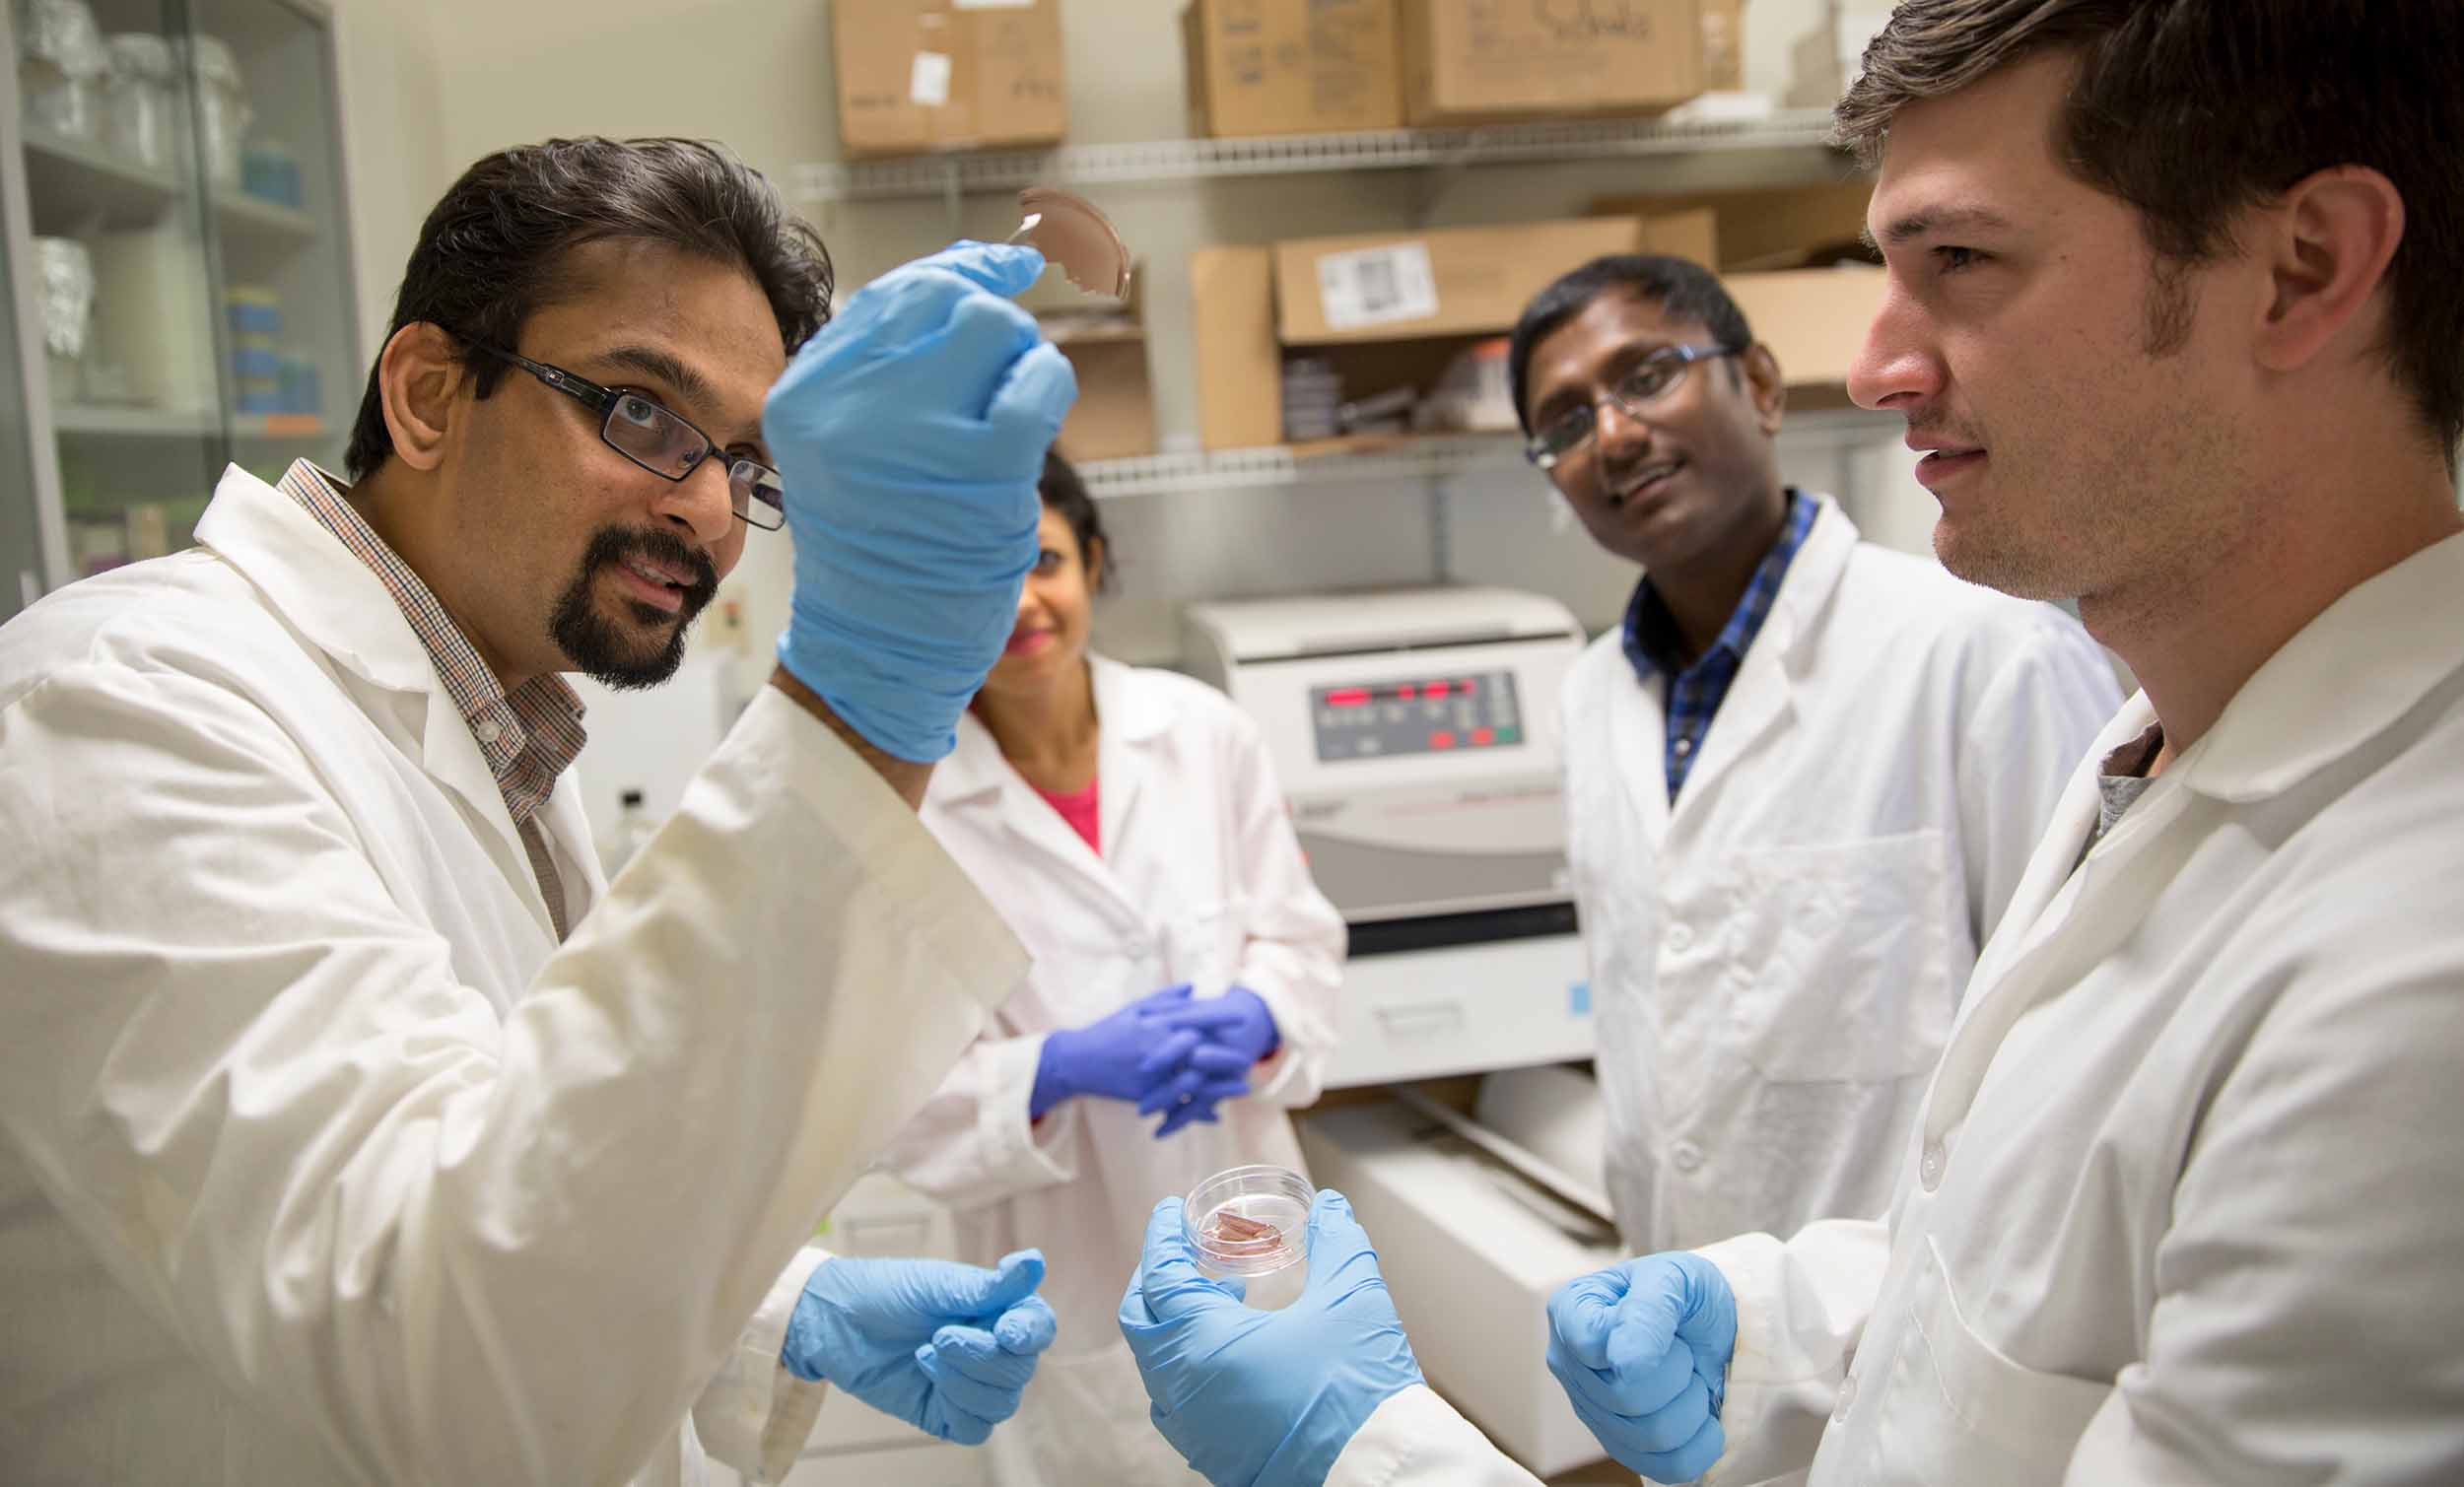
(2187, 1198)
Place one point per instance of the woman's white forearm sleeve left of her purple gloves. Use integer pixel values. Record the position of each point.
(975, 1144)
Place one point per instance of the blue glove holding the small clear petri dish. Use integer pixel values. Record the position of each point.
(1265, 1400)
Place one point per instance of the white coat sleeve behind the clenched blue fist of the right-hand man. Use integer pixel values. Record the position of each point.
(1802, 1309)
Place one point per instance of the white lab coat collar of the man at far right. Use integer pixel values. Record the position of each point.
(2349, 676)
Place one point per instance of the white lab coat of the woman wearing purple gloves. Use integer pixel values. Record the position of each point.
(1201, 883)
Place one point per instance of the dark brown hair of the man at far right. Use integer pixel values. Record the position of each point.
(2199, 110)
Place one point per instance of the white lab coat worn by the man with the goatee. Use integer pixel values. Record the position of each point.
(324, 1163)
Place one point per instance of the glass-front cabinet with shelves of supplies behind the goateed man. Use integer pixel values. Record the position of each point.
(179, 272)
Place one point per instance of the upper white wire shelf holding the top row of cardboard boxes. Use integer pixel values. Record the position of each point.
(1388, 149)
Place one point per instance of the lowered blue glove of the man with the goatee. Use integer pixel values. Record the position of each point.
(940, 1345)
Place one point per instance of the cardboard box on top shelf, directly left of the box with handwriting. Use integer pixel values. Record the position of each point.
(1278, 68)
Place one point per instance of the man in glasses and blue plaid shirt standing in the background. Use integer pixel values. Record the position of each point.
(1802, 774)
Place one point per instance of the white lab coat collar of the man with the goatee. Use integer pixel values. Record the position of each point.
(317, 585)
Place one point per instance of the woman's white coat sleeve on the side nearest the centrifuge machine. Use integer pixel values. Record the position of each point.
(1295, 942)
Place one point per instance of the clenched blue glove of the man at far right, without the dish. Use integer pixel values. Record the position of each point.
(1642, 1350)
